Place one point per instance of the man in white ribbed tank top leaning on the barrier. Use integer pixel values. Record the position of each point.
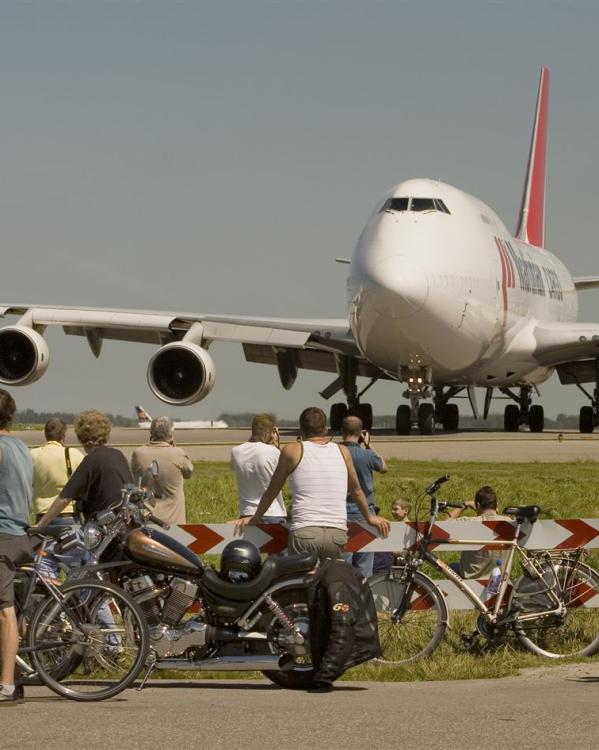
(321, 475)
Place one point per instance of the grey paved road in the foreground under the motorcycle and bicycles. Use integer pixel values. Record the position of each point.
(547, 708)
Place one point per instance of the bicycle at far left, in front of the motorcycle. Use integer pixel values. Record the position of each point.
(89, 631)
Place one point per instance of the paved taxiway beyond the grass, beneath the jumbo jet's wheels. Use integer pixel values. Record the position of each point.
(215, 445)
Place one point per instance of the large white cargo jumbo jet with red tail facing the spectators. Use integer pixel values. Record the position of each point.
(441, 297)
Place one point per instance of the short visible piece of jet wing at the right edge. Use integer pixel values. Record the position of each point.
(572, 348)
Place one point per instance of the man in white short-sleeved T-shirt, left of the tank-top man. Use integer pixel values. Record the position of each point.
(253, 464)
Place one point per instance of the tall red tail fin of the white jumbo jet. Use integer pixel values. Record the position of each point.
(531, 227)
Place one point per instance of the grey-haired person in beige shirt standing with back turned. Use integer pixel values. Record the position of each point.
(174, 467)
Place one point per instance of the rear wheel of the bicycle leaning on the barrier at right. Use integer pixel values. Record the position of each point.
(576, 631)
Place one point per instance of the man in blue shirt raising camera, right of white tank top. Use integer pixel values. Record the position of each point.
(365, 460)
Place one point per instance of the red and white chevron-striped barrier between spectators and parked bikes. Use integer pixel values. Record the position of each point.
(561, 534)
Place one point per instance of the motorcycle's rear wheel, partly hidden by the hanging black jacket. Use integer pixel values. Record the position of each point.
(299, 675)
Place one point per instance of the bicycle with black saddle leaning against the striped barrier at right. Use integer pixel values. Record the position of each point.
(544, 608)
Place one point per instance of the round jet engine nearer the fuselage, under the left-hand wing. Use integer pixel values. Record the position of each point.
(181, 373)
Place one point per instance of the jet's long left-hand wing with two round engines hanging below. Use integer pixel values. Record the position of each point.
(184, 338)
